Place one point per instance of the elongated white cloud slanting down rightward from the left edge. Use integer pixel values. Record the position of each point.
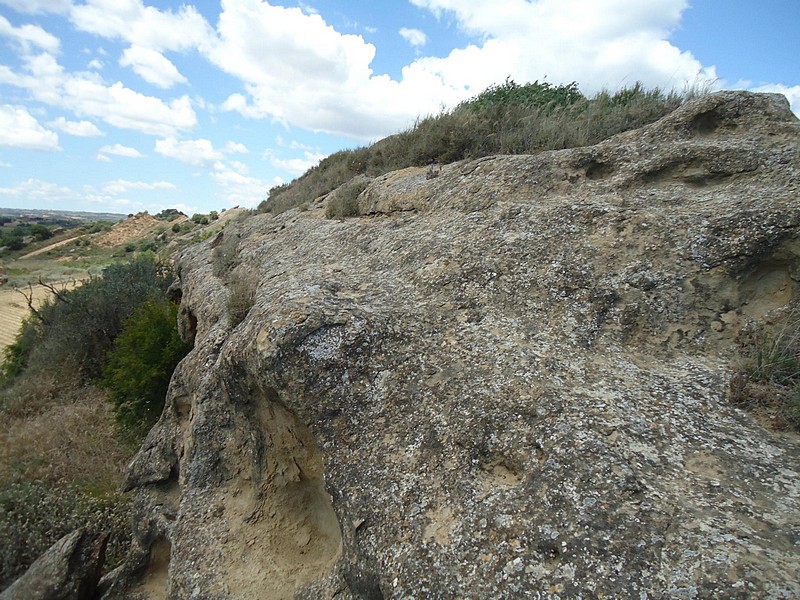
(87, 94)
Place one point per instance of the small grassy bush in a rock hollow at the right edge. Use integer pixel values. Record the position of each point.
(767, 377)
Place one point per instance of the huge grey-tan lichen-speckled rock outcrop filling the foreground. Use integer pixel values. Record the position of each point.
(505, 380)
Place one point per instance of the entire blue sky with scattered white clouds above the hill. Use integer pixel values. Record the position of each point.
(130, 105)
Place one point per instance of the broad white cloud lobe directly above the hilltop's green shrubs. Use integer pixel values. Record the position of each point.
(599, 43)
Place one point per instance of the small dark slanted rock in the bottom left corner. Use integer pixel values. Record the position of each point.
(69, 570)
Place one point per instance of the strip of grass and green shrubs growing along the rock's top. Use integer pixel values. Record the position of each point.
(504, 119)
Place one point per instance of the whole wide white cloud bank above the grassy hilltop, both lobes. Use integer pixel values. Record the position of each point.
(296, 69)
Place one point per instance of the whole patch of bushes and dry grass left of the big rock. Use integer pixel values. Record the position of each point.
(90, 356)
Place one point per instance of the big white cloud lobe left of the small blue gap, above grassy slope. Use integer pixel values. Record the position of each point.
(297, 69)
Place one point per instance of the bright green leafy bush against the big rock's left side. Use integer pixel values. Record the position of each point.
(141, 362)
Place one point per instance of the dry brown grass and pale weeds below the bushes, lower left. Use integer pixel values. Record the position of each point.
(61, 462)
